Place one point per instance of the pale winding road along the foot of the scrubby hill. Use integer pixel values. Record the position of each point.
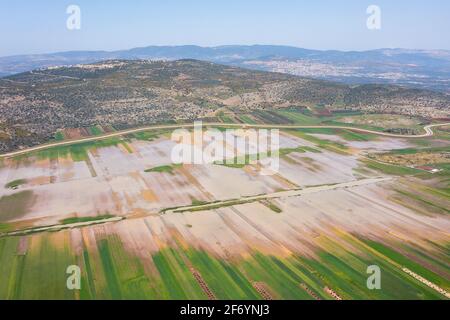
(428, 132)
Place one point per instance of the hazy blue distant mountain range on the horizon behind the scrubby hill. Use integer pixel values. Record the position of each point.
(428, 69)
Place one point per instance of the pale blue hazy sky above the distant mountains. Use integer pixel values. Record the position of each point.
(39, 26)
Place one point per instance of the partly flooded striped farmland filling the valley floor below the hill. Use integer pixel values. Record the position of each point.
(141, 227)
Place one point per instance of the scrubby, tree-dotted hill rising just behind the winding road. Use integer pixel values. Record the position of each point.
(123, 94)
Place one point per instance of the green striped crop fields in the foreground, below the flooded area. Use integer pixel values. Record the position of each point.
(110, 271)
